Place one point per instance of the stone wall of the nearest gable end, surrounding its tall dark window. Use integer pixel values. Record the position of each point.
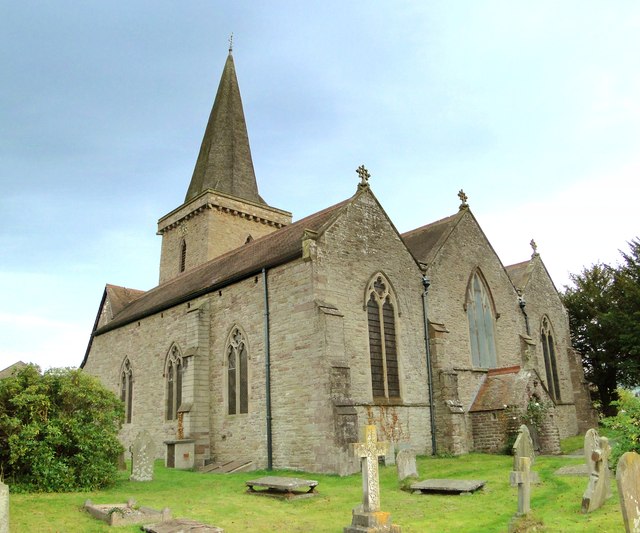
(360, 244)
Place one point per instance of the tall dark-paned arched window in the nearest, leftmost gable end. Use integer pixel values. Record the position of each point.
(383, 353)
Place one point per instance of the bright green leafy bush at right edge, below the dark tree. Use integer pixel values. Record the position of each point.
(625, 425)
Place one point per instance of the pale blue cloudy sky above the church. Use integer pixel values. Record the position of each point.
(533, 108)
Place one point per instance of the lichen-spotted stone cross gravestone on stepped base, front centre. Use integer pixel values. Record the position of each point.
(367, 517)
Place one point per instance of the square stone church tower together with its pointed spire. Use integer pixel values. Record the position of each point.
(222, 209)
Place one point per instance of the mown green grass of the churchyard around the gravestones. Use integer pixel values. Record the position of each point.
(221, 500)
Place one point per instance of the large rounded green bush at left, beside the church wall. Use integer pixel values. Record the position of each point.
(58, 431)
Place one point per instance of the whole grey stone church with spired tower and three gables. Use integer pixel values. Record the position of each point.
(273, 342)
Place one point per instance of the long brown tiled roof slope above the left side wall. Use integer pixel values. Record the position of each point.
(277, 248)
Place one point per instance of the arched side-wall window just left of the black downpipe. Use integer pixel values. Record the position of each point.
(237, 373)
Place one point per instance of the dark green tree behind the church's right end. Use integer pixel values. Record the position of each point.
(604, 315)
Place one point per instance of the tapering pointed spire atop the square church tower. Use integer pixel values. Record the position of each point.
(224, 163)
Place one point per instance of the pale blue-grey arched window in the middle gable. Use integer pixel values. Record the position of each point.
(481, 317)
